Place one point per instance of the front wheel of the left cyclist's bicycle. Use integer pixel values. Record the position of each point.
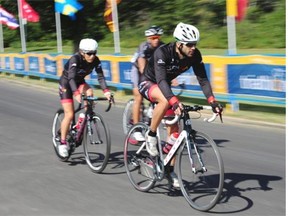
(97, 144)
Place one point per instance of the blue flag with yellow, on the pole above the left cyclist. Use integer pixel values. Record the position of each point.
(68, 7)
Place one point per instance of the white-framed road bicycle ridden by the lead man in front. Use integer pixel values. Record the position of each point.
(198, 162)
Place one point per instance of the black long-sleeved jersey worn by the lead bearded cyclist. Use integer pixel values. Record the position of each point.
(165, 65)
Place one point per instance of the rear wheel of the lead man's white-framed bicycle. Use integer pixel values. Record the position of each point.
(139, 168)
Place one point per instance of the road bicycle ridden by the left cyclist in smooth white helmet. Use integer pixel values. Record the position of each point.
(93, 133)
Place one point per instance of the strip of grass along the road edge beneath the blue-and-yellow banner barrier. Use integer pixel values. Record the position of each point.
(268, 114)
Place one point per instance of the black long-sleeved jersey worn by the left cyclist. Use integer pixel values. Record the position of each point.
(77, 68)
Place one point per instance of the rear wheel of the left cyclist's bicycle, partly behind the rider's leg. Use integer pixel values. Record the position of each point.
(56, 126)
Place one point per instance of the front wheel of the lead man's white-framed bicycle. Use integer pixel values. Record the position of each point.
(202, 189)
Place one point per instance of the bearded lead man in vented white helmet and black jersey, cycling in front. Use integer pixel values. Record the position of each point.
(168, 62)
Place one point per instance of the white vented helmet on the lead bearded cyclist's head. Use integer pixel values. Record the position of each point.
(185, 33)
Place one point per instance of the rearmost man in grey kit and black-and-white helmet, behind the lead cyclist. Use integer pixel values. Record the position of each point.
(139, 60)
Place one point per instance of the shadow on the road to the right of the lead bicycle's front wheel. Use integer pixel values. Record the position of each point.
(235, 186)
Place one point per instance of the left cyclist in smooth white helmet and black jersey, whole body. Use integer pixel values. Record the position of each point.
(72, 83)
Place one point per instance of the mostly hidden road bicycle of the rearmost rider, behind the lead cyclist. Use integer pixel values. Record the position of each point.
(145, 112)
